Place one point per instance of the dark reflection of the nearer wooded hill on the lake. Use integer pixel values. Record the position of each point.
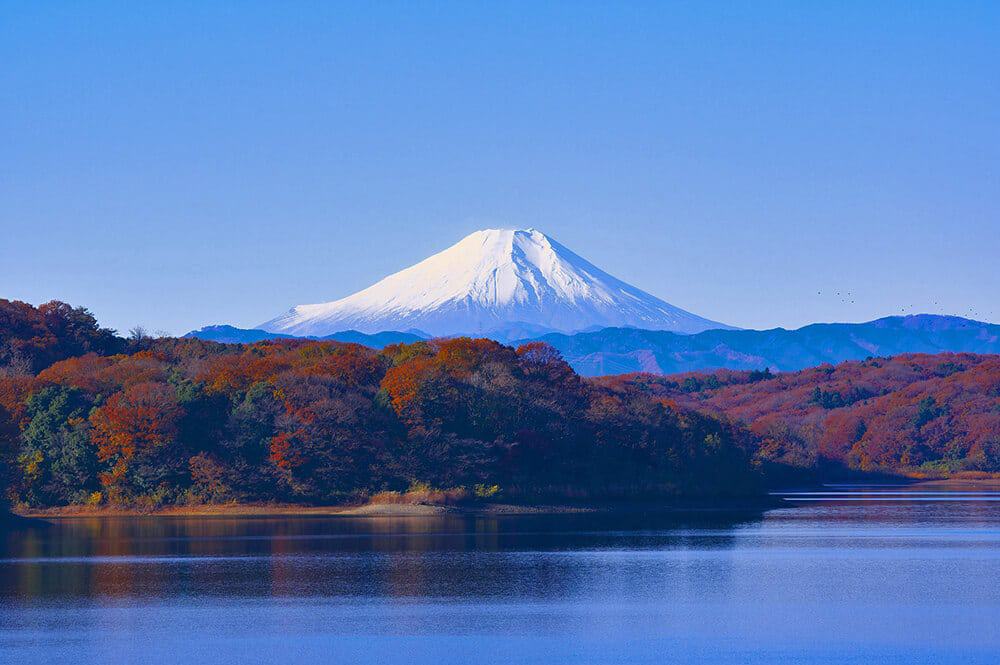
(339, 556)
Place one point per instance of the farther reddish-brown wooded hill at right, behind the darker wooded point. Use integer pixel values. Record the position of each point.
(916, 413)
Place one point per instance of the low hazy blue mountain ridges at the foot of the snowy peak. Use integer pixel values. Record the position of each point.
(623, 350)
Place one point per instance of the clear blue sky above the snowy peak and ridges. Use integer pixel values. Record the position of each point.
(179, 164)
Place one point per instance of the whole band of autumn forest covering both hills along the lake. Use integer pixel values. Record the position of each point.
(89, 417)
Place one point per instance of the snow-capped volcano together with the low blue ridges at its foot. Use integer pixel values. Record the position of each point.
(520, 285)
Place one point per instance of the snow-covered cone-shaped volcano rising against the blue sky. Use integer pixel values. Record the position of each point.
(495, 282)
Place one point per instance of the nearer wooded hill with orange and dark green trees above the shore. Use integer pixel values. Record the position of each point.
(187, 421)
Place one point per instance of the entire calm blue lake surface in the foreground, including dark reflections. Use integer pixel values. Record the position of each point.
(846, 576)
